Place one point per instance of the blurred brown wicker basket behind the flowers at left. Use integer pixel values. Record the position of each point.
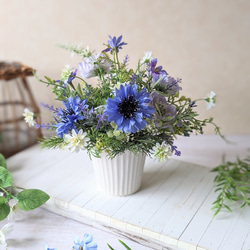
(15, 95)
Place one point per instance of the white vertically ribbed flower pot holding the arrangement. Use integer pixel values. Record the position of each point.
(121, 175)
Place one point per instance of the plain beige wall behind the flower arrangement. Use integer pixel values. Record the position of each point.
(206, 43)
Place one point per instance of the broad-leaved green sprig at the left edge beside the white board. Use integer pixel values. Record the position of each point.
(27, 199)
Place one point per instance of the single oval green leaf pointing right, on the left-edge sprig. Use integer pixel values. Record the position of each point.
(31, 198)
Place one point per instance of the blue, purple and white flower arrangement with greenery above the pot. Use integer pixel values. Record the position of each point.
(140, 109)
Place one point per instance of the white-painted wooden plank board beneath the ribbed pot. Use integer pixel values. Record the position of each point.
(170, 211)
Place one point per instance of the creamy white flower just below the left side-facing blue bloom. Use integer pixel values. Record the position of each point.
(76, 141)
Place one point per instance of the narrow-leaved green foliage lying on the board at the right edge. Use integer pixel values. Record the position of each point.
(232, 182)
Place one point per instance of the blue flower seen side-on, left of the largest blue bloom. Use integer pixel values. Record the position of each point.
(69, 115)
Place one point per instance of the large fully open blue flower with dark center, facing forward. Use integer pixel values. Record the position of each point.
(129, 108)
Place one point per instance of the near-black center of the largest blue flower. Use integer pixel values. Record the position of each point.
(128, 107)
